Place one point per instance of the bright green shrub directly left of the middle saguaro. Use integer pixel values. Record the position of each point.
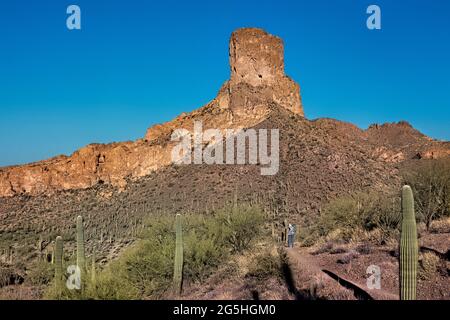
(145, 269)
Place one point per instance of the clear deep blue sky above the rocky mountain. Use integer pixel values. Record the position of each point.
(137, 63)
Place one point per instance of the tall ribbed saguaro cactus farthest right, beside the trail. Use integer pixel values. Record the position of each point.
(408, 247)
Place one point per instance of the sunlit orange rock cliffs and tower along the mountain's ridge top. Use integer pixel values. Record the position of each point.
(257, 85)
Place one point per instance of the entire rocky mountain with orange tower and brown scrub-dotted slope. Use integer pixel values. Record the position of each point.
(115, 186)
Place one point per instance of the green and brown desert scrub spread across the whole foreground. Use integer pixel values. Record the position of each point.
(145, 270)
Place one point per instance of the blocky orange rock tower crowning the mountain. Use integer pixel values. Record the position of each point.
(257, 74)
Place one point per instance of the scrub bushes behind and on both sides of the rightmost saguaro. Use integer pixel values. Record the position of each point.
(375, 215)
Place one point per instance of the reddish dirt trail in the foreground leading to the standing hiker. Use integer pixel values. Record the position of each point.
(309, 275)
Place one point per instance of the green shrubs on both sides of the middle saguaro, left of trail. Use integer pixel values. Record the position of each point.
(145, 270)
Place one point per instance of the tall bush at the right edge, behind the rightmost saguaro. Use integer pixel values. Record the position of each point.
(430, 182)
